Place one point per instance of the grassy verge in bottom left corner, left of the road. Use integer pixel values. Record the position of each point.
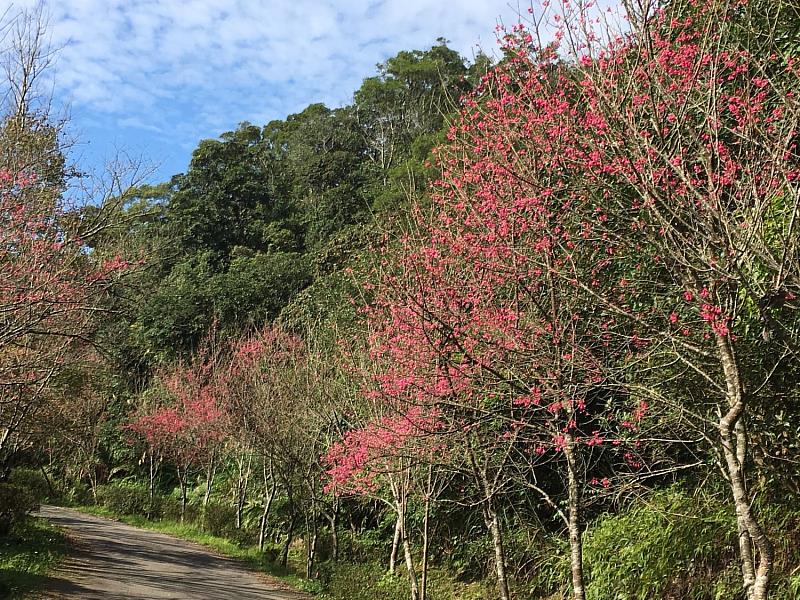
(27, 554)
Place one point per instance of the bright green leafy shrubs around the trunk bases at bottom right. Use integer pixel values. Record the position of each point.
(671, 544)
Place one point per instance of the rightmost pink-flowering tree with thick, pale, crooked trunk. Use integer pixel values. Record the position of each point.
(673, 154)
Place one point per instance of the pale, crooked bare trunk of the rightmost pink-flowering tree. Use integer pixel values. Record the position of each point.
(756, 576)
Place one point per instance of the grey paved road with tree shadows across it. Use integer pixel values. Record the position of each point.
(113, 561)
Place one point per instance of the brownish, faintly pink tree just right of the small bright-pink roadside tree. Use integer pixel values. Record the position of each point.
(276, 404)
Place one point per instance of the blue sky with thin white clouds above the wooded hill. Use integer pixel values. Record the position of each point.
(153, 77)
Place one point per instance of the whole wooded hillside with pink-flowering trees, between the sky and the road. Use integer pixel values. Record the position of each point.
(523, 327)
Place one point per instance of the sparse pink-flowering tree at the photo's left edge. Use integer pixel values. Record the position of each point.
(51, 285)
